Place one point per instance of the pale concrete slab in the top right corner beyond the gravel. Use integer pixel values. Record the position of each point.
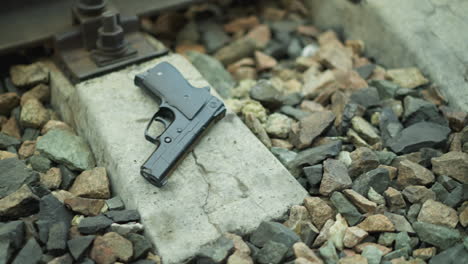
(429, 34)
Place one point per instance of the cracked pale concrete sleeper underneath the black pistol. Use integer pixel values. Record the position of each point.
(230, 182)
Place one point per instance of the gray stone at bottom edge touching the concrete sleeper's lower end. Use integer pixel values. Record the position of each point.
(215, 252)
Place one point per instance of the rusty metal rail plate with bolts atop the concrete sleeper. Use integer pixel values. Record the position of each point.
(101, 42)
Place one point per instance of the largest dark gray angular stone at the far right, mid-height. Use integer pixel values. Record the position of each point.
(420, 135)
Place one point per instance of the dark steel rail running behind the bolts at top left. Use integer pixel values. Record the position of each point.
(29, 23)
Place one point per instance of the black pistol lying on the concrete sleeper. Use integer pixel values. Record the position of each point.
(185, 112)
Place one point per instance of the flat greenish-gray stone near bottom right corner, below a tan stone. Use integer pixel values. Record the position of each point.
(439, 236)
